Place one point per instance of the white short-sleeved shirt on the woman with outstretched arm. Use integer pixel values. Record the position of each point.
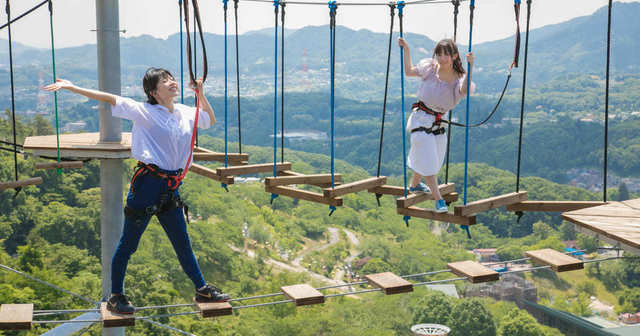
(158, 136)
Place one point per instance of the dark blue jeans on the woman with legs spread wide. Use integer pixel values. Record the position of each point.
(146, 192)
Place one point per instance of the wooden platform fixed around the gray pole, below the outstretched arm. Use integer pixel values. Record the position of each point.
(79, 145)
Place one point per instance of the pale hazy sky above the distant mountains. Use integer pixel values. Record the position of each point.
(493, 19)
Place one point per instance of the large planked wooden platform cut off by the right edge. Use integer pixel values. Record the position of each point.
(617, 223)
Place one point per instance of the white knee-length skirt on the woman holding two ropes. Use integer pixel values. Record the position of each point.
(427, 150)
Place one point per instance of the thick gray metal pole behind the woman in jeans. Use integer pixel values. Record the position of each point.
(111, 170)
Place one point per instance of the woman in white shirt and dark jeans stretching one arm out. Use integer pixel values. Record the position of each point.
(161, 142)
